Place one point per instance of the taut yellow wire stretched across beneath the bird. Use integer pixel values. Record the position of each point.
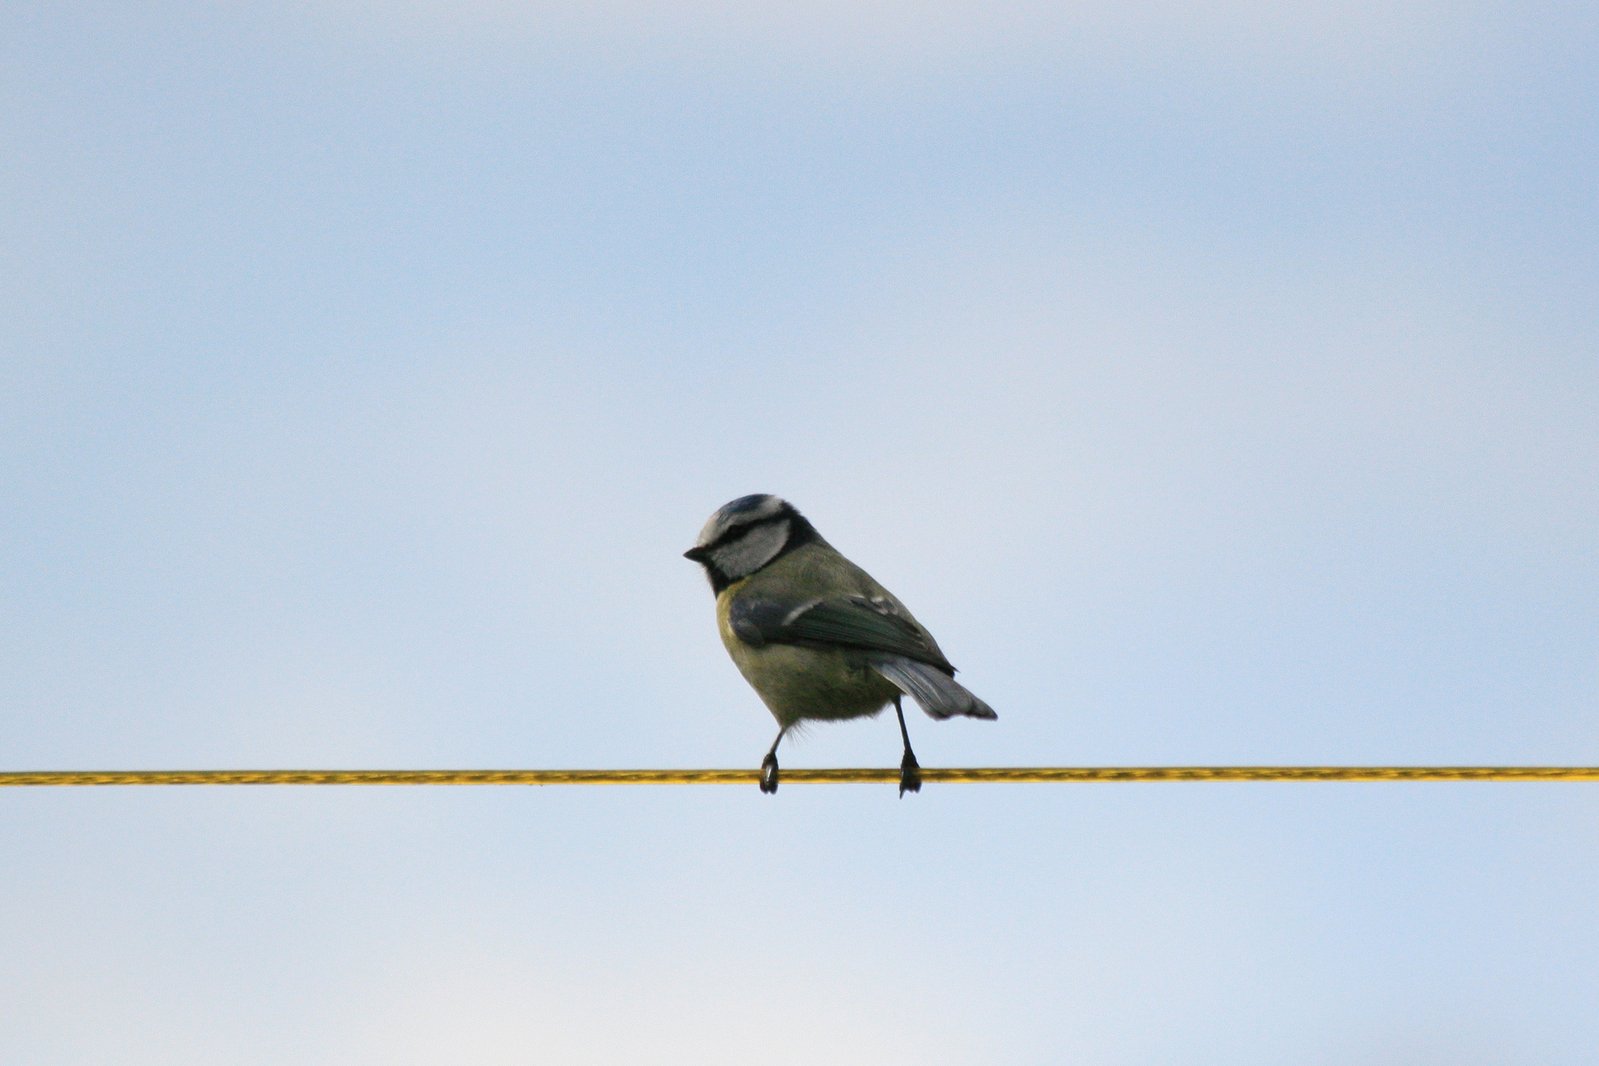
(1007, 774)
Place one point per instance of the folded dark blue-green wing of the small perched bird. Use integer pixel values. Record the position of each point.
(872, 624)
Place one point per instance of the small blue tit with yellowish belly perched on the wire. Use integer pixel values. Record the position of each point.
(813, 634)
